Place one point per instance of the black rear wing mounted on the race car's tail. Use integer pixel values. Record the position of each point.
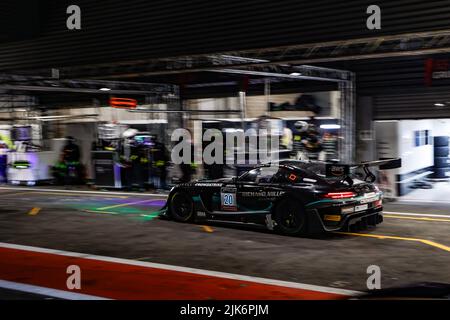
(343, 170)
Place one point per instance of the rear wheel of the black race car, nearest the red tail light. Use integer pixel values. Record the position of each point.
(290, 217)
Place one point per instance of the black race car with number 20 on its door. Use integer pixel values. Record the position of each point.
(292, 197)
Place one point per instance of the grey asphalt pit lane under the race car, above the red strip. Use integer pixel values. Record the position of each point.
(124, 226)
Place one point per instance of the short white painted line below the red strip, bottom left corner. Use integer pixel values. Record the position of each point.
(54, 293)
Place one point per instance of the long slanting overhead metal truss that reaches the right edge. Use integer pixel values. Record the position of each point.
(407, 44)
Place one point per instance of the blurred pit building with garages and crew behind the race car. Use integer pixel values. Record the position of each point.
(329, 90)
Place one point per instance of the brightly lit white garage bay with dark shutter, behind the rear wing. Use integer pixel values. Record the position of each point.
(416, 128)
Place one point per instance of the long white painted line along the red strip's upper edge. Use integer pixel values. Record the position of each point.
(187, 270)
